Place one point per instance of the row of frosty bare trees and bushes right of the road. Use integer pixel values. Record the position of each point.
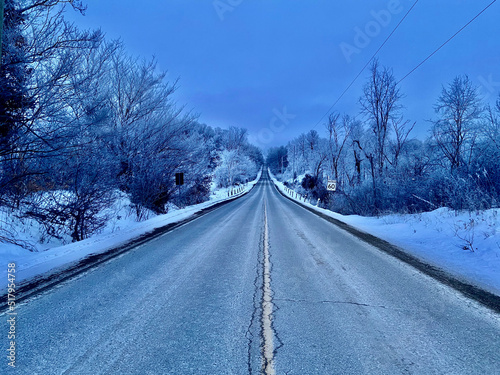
(380, 168)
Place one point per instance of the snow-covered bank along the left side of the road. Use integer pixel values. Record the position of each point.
(123, 229)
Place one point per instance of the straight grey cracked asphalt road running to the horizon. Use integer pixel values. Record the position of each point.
(259, 285)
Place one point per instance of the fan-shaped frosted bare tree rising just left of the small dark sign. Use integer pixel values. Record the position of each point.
(142, 110)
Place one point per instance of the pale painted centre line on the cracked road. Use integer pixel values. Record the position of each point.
(267, 308)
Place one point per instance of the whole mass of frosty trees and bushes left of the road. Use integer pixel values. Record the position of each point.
(82, 123)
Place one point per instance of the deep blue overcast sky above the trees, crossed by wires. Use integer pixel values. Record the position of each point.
(276, 67)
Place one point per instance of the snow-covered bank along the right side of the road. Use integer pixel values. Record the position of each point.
(442, 238)
